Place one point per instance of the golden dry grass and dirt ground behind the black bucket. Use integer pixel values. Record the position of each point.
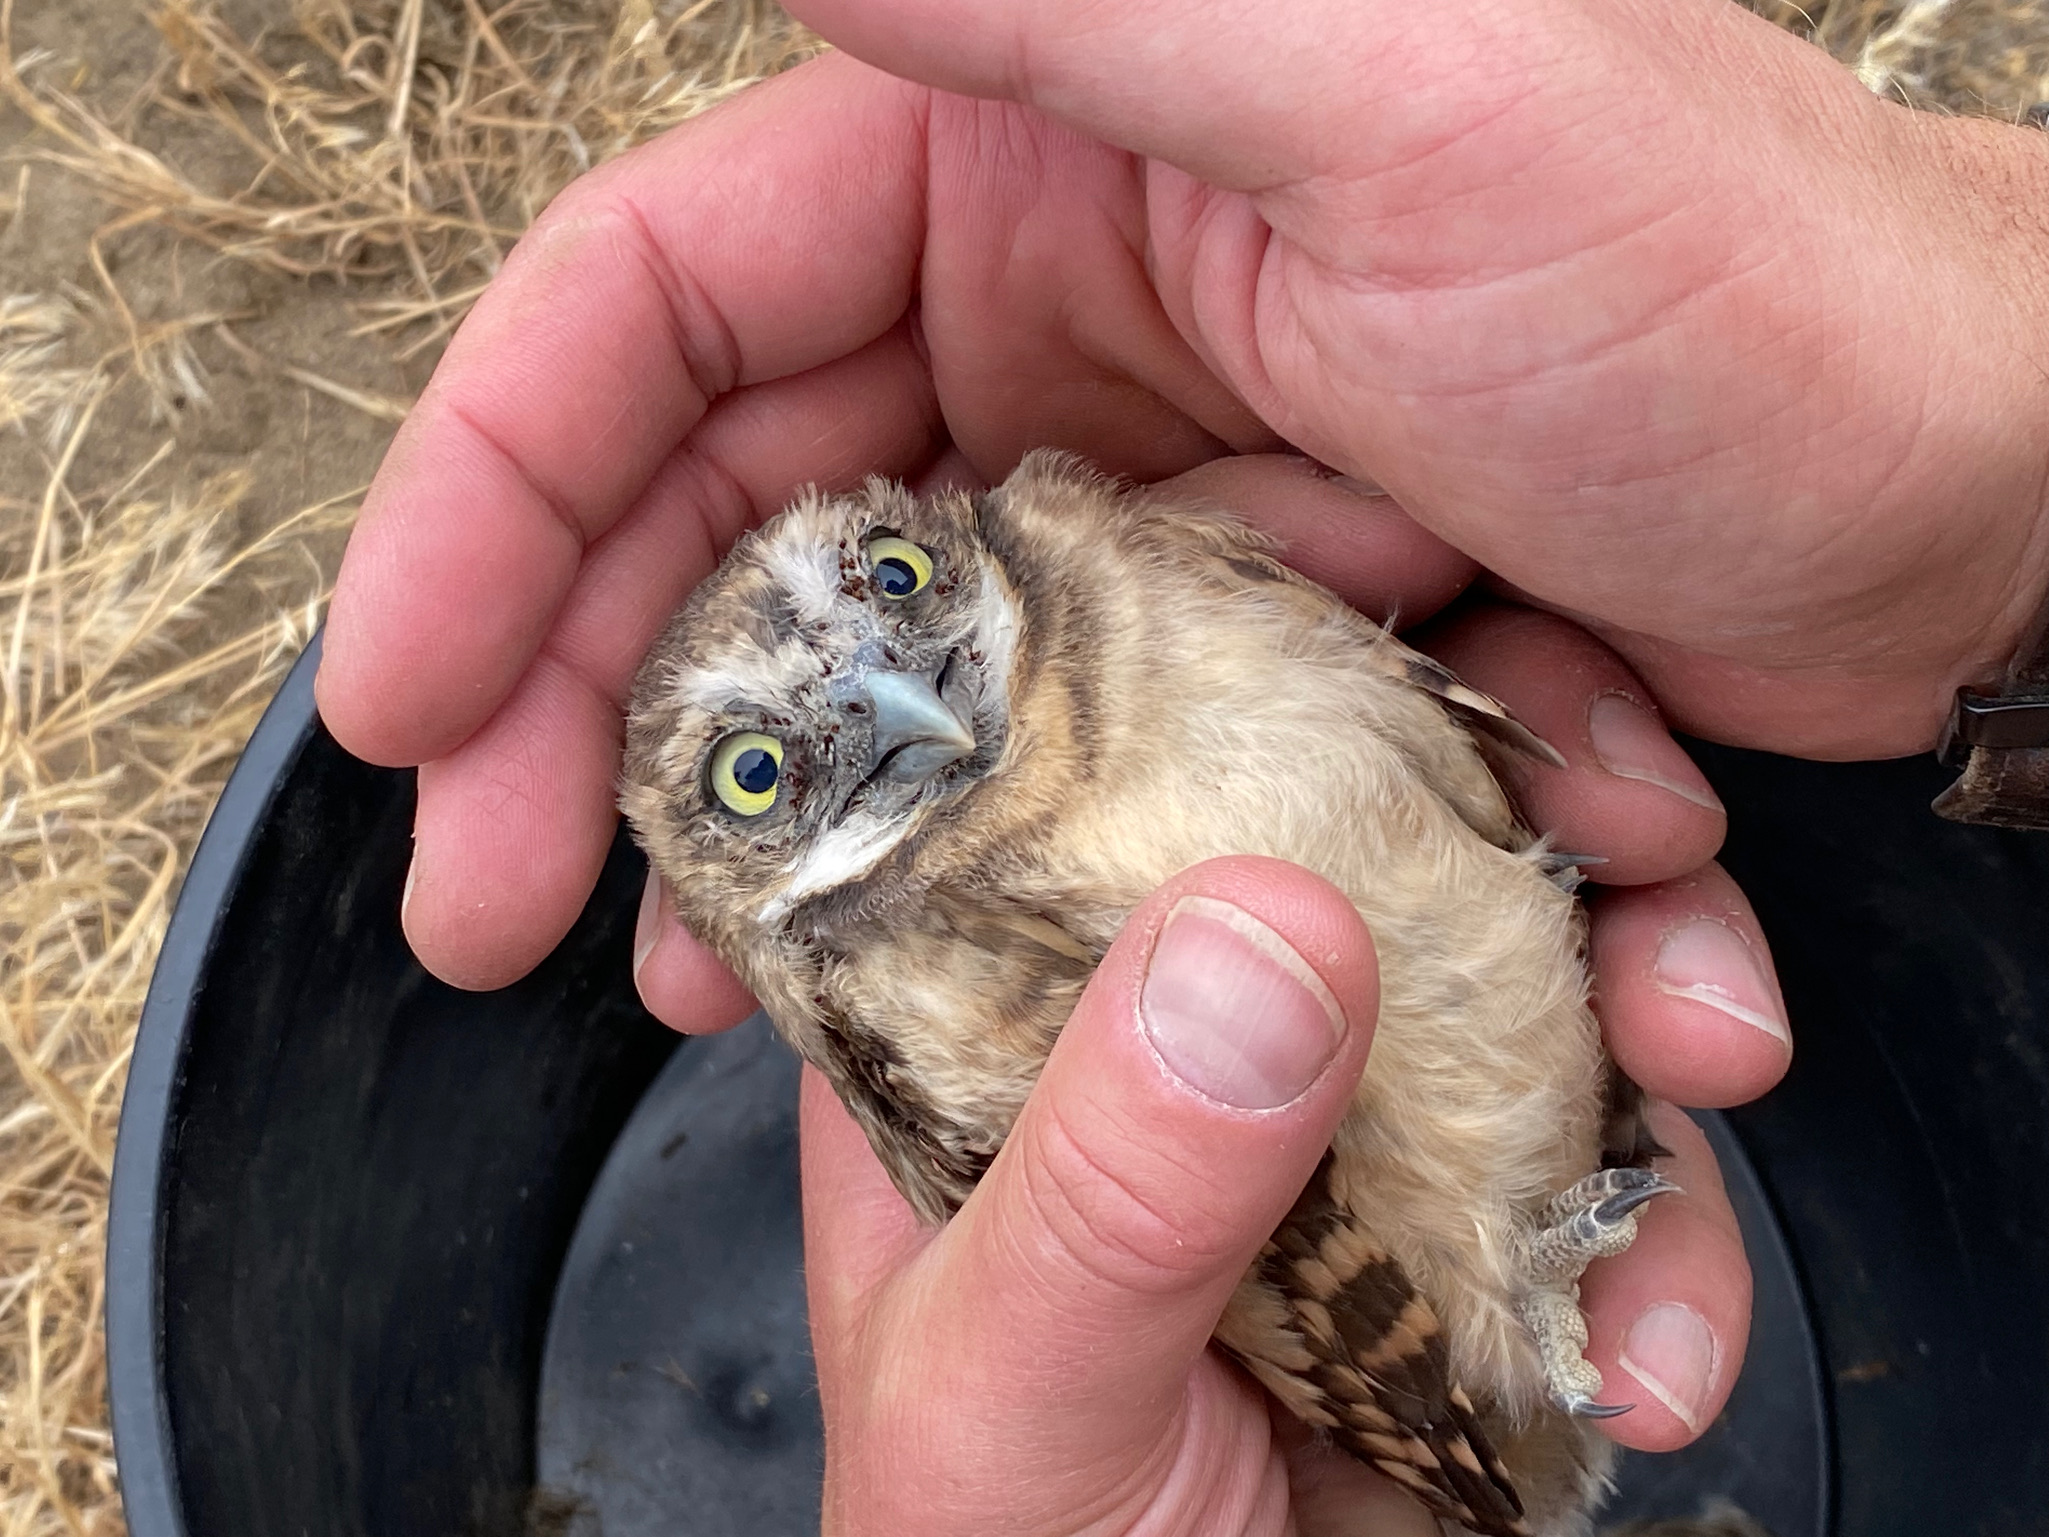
(233, 241)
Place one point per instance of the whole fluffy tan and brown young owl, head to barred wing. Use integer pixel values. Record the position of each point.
(1142, 688)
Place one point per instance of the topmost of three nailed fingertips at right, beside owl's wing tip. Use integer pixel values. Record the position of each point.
(1630, 796)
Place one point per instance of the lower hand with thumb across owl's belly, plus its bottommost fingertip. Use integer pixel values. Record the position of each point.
(1040, 1366)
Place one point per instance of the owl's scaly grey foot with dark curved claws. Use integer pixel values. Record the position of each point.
(1593, 1220)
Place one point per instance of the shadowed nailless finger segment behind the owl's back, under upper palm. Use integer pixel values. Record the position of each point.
(1351, 538)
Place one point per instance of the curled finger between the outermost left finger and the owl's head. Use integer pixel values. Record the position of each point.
(515, 823)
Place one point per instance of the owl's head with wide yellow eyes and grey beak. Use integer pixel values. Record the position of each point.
(839, 683)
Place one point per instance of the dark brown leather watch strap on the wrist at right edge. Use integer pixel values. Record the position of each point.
(2001, 741)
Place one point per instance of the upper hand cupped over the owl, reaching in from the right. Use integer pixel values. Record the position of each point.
(1673, 329)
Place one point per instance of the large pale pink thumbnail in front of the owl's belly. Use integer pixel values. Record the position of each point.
(1235, 1011)
